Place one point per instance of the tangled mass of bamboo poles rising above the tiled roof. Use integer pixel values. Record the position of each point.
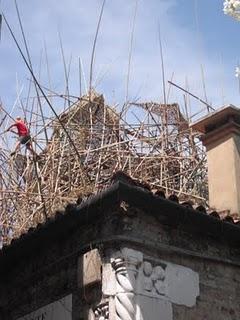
(156, 146)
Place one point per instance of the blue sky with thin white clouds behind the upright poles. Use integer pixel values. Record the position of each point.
(195, 33)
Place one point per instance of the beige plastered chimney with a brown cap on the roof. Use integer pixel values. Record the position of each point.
(221, 137)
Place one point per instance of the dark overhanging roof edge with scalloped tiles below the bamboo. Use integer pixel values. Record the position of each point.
(123, 188)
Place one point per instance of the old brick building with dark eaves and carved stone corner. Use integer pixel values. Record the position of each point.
(127, 254)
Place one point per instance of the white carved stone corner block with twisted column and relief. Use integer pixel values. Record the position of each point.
(142, 285)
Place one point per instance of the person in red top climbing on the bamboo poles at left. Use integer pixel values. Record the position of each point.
(24, 136)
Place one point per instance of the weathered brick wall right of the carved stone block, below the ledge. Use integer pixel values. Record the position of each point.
(219, 298)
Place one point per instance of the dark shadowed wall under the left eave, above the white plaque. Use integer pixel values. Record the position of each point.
(37, 282)
